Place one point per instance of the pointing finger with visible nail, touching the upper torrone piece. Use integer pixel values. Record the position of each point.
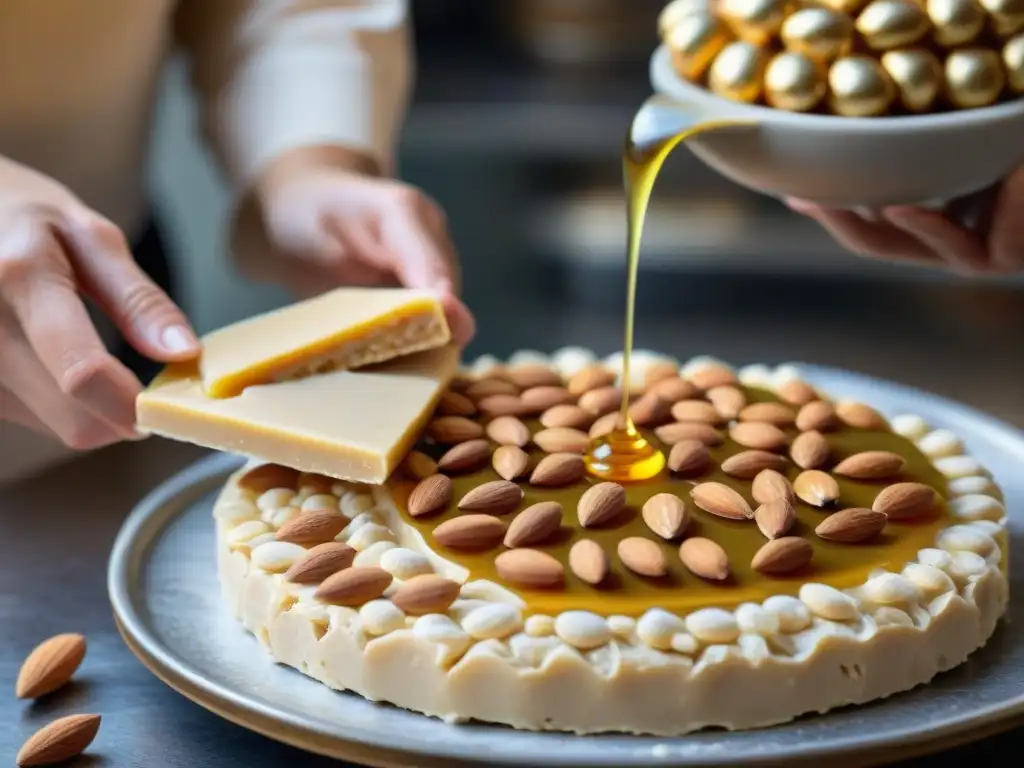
(147, 317)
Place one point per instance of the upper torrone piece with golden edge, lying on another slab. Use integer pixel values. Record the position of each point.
(346, 329)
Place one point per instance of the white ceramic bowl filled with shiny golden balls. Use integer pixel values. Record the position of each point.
(851, 162)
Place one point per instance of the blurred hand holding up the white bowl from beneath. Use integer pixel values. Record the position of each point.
(911, 235)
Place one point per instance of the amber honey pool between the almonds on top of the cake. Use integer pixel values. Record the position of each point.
(841, 566)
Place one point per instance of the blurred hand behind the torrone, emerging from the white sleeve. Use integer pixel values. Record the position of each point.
(327, 208)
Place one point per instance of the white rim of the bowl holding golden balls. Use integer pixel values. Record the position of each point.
(665, 80)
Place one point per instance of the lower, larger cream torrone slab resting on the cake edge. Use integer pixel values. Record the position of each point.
(355, 425)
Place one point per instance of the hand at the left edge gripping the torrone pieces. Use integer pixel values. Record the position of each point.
(56, 375)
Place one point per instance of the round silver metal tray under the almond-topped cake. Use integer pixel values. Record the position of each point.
(164, 590)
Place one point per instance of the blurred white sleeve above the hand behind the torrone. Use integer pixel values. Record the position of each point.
(277, 75)
